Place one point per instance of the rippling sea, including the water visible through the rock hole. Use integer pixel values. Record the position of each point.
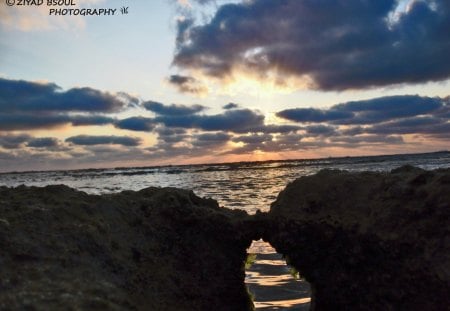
(249, 186)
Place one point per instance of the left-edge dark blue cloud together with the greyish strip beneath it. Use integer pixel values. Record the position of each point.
(26, 105)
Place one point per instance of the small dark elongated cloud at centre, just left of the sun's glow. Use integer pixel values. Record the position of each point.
(231, 120)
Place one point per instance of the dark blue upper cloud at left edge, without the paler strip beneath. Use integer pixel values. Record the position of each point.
(25, 96)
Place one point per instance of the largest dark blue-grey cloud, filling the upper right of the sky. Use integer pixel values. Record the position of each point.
(338, 44)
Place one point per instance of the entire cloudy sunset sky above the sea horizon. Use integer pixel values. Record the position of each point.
(201, 81)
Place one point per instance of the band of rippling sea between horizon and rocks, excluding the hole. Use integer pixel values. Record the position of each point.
(246, 185)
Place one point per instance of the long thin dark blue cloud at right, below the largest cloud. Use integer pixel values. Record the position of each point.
(367, 111)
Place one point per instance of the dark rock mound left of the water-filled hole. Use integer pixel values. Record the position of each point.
(156, 249)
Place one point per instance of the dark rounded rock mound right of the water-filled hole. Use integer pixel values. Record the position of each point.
(368, 241)
